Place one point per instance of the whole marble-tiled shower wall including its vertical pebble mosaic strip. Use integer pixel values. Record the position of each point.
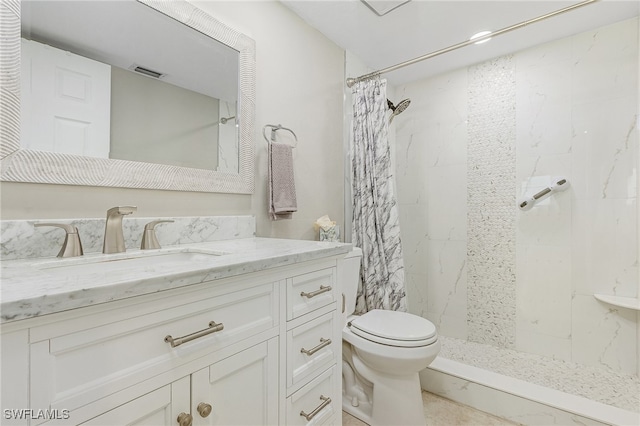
(477, 266)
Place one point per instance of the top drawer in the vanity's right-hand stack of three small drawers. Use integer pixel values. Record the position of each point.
(310, 291)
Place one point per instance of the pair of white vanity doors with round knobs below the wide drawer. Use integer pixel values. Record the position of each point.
(239, 390)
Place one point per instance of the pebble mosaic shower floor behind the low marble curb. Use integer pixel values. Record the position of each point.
(595, 383)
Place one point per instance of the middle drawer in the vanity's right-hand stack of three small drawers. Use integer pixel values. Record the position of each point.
(311, 348)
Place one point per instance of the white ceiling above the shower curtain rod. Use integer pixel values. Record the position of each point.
(424, 26)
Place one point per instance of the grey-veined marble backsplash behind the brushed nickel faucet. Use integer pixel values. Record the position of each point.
(19, 239)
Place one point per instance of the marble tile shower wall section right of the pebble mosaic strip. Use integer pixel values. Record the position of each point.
(577, 106)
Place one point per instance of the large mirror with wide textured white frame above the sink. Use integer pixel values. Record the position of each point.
(207, 83)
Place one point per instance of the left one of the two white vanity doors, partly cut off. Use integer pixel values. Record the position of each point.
(158, 408)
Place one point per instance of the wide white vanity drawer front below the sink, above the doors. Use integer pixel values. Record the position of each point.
(71, 370)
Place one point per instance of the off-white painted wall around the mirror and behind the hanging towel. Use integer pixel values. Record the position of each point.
(299, 84)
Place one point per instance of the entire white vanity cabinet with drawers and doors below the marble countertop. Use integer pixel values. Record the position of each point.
(258, 348)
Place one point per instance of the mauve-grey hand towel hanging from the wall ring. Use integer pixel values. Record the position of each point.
(282, 187)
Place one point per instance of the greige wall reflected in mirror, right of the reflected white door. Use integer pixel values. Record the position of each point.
(156, 122)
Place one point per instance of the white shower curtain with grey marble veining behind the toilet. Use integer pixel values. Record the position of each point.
(376, 227)
